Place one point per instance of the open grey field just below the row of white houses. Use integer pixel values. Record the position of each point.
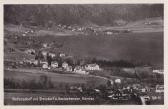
(29, 75)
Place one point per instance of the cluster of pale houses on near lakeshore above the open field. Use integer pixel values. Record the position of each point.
(84, 69)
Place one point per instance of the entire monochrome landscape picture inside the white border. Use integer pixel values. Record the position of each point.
(83, 54)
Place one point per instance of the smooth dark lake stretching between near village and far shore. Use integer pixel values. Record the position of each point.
(143, 47)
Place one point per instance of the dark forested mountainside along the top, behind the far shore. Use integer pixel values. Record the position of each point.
(99, 14)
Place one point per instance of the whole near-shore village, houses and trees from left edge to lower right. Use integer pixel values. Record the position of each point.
(65, 64)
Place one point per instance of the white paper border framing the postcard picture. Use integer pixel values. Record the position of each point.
(165, 106)
